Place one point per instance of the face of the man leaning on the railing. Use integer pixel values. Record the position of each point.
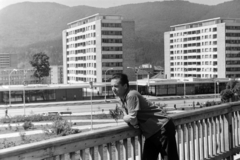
(117, 88)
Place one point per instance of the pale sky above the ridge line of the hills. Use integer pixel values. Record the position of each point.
(102, 3)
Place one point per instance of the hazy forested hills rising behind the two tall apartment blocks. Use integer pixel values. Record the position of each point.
(27, 28)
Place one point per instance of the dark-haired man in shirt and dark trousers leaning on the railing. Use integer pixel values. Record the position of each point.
(158, 129)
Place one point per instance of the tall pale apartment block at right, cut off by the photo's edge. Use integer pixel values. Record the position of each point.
(203, 49)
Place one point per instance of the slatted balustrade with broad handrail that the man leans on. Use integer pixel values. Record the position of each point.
(207, 133)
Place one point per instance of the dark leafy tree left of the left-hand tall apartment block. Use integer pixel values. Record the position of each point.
(40, 62)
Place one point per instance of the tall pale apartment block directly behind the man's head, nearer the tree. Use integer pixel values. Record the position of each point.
(96, 45)
